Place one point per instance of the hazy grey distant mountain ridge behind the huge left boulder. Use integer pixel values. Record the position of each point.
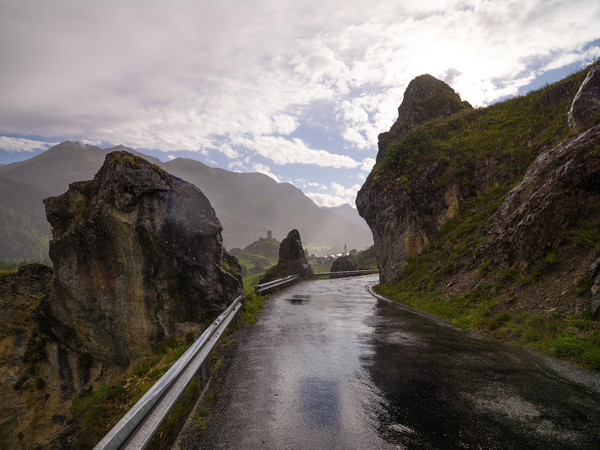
(247, 204)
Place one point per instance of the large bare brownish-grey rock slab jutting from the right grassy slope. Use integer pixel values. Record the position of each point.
(555, 192)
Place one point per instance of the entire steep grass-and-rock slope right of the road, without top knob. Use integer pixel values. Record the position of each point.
(490, 218)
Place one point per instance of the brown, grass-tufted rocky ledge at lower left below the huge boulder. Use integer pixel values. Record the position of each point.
(38, 375)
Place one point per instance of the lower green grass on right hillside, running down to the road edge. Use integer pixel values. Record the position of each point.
(576, 339)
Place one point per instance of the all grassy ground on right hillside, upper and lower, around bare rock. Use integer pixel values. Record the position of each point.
(520, 302)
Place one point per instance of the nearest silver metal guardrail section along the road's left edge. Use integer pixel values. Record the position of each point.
(138, 426)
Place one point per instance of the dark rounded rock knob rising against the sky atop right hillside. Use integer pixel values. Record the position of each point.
(426, 98)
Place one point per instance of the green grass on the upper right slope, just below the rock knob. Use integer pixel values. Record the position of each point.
(514, 131)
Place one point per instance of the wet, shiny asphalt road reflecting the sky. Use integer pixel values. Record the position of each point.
(330, 366)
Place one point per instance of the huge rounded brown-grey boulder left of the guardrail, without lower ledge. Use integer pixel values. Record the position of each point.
(137, 258)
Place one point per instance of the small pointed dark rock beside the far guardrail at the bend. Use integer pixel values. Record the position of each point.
(292, 260)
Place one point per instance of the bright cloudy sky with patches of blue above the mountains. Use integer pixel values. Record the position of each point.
(297, 90)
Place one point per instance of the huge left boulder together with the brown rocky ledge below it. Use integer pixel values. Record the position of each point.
(137, 258)
